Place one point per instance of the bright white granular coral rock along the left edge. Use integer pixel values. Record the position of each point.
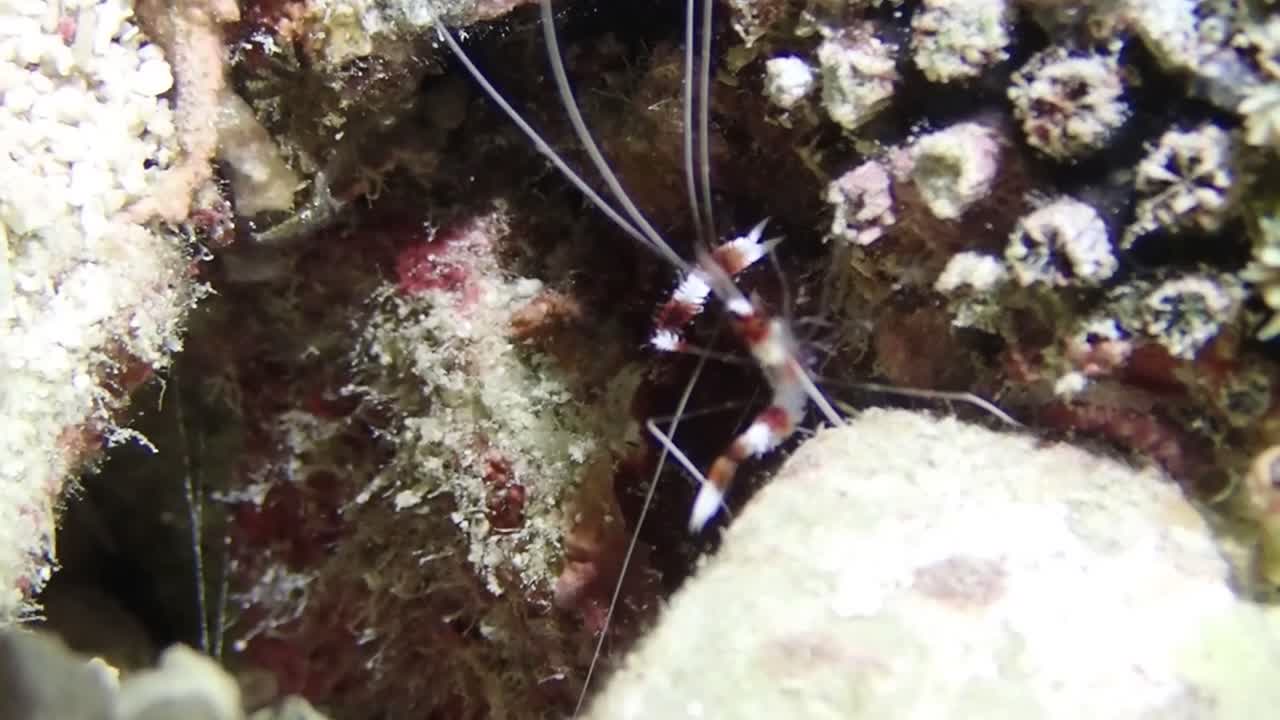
(92, 300)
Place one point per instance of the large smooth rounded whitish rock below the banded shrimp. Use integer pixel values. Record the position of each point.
(907, 567)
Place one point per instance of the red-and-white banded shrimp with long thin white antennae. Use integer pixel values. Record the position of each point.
(766, 335)
